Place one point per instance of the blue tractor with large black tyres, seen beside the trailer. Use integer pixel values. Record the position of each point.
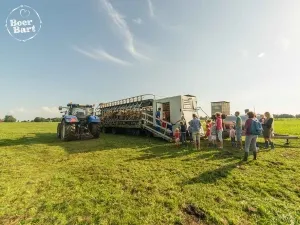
(77, 122)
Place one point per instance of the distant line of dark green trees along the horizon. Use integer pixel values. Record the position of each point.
(9, 118)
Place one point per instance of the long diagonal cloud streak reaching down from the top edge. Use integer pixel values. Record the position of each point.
(119, 21)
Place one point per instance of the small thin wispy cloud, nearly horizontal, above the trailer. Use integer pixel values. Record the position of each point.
(101, 55)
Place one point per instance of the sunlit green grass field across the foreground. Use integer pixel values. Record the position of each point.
(134, 180)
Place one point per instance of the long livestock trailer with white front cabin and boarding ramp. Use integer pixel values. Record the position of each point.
(137, 115)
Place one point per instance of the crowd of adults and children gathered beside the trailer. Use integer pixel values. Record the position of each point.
(252, 128)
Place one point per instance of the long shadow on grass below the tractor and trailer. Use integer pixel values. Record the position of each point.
(105, 142)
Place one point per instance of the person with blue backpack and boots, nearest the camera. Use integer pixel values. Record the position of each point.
(250, 139)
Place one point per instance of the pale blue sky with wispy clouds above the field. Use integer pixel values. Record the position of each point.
(245, 52)
